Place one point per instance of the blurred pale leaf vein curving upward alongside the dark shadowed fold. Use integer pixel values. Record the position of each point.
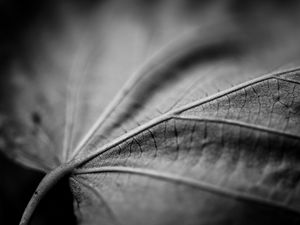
(182, 46)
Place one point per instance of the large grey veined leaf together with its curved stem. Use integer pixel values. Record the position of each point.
(158, 116)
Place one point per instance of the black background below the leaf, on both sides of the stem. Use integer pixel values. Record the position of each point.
(17, 184)
